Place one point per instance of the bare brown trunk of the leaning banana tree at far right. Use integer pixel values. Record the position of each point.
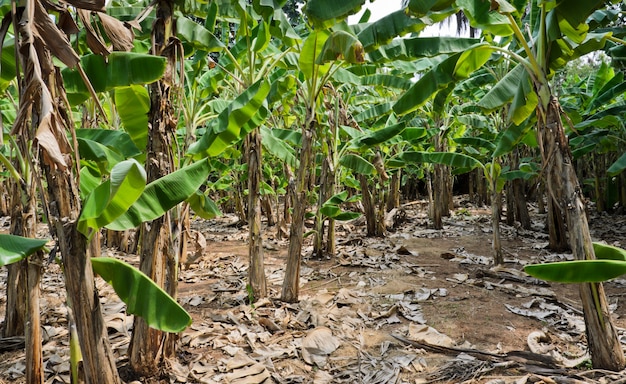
(604, 346)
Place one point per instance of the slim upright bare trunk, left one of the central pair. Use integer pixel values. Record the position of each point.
(256, 270)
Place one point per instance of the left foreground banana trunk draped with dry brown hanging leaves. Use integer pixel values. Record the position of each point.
(42, 106)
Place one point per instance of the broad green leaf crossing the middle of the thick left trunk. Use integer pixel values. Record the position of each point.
(162, 195)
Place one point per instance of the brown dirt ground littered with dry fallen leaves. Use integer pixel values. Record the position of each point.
(361, 313)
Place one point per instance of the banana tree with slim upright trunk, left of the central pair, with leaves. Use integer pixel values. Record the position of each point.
(246, 68)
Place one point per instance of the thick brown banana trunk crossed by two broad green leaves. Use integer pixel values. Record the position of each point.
(159, 255)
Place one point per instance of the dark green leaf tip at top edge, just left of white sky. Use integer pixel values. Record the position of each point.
(326, 13)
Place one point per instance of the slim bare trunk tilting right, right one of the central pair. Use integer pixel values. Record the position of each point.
(291, 284)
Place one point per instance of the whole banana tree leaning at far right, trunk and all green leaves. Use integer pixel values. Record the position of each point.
(560, 34)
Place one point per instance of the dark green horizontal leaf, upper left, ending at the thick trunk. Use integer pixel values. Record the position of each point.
(119, 69)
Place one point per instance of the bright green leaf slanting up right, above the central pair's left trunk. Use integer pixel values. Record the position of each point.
(245, 113)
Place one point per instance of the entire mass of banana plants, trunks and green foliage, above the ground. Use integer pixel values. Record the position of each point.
(142, 114)
